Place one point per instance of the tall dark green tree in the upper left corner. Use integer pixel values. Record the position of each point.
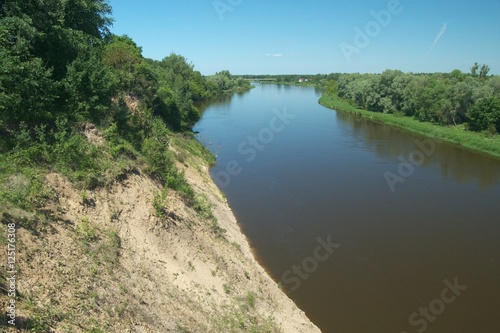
(49, 59)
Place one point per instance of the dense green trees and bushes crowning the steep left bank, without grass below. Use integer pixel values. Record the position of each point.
(59, 64)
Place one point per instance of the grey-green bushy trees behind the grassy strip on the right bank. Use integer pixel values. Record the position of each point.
(447, 99)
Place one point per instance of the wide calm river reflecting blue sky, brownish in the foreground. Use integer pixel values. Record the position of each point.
(368, 228)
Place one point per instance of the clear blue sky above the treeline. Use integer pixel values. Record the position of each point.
(315, 36)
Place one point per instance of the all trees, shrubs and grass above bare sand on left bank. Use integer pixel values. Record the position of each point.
(63, 75)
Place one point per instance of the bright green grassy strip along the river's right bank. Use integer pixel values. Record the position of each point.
(479, 142)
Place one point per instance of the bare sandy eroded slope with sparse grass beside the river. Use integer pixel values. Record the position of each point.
(134, 256)
